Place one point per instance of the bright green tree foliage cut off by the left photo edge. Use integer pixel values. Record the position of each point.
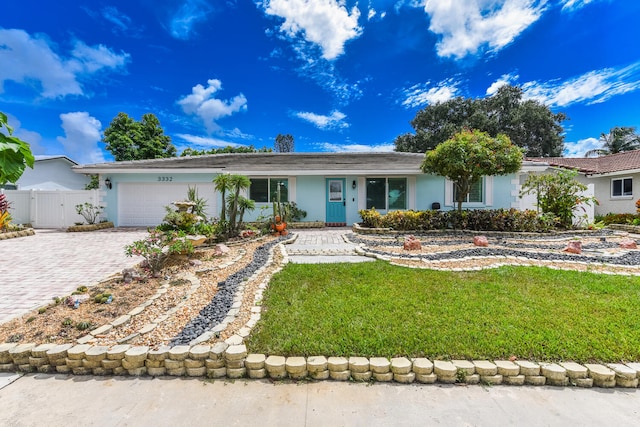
(15, 154)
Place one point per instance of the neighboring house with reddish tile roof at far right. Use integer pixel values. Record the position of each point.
(614, 178)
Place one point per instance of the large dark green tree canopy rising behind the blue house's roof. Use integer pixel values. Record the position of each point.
(528, 123)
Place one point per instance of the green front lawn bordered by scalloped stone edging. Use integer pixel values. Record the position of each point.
(376, 309)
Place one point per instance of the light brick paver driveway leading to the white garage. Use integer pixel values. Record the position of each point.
(52, 263)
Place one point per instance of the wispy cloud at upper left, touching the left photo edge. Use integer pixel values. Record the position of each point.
(33, 60)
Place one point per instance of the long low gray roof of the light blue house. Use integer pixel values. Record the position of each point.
(266, 162)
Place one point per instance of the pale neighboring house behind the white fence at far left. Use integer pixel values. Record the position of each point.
(51, 173)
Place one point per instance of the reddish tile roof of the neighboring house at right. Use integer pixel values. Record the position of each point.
(620, 162)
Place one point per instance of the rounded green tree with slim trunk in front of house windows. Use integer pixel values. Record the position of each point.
(470, 155)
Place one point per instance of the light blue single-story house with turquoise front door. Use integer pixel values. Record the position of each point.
(331, 187)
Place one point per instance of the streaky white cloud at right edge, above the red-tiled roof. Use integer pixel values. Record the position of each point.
(593, 87)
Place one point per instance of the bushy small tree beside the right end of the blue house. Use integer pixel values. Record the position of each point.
(558, 194)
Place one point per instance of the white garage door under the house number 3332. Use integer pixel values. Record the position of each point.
(144, 204)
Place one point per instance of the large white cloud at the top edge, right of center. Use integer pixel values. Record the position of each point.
(467, 25)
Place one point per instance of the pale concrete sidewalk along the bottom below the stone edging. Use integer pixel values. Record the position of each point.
(46, 400)
